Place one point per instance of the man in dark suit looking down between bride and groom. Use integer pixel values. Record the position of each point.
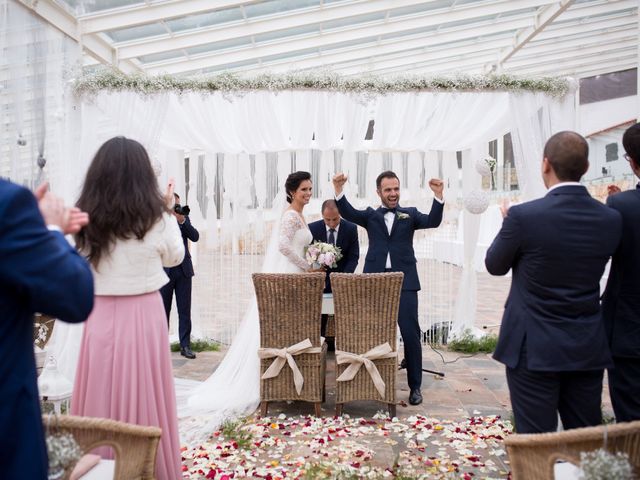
(344, 235)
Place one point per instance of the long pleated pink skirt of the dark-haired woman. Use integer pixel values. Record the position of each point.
(124, 371)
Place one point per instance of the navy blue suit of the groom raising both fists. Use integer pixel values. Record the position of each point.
(399, 245)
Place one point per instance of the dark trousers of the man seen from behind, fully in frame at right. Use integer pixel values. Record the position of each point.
(538, 397)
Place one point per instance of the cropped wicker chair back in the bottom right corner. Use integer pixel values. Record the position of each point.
(533, 456)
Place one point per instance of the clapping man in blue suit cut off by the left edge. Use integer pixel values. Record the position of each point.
(39, 272)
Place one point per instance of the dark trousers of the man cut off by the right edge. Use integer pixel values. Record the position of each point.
(624, 388)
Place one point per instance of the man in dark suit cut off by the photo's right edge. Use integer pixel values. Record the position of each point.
(621, 303)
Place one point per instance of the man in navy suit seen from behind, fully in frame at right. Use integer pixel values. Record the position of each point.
(552, 338)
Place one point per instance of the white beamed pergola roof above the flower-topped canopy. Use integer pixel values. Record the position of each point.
(531, 37)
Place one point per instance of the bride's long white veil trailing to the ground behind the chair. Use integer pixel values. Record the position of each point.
(233, 390)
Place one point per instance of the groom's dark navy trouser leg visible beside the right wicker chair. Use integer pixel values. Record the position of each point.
(410, 331)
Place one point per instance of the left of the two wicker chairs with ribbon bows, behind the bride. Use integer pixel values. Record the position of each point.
(289, 308)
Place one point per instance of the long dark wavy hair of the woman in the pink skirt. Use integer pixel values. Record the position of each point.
(121, 196)
